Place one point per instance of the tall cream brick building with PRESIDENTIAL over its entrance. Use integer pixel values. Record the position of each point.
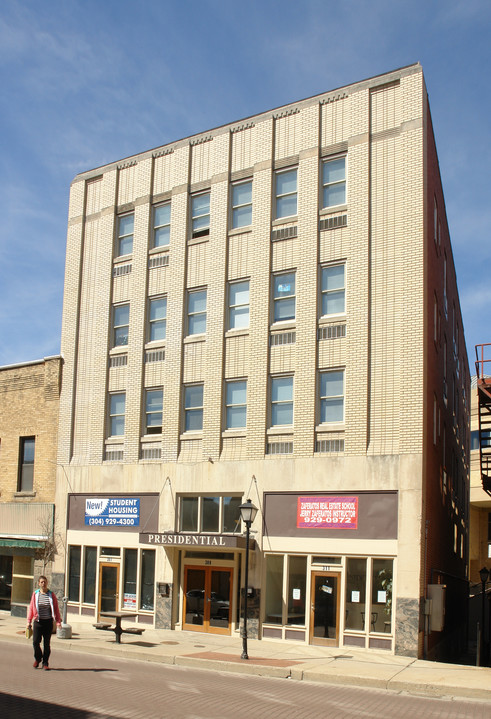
(269, 310)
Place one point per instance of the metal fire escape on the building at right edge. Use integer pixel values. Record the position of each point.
(483, 372)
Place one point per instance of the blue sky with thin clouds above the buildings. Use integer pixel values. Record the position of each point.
(86, 82)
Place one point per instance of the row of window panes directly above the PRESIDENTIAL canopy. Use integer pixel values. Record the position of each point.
(209, 514)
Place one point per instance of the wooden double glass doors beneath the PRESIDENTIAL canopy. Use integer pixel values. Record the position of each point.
(207, 599)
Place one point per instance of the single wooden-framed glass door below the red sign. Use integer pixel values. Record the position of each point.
(324, 614)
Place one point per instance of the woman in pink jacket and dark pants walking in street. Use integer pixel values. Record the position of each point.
(43, 609)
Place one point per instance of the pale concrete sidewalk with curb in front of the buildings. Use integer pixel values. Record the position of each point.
(348, 666)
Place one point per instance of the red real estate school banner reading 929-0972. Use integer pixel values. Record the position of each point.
(327, 512)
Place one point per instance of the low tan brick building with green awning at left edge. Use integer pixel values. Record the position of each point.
(29, 402)
